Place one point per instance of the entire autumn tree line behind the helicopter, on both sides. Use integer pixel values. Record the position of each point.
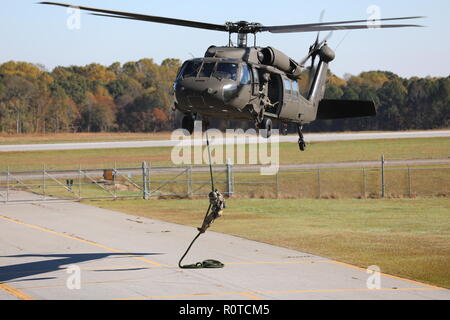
(137, 97)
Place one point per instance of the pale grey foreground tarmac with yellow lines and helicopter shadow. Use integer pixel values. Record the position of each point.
(119, 256)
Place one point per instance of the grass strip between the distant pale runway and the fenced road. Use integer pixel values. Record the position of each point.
(436, 148)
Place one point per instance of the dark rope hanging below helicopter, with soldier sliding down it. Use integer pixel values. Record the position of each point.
(216, 206)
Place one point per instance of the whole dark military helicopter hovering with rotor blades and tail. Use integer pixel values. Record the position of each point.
(251, 83)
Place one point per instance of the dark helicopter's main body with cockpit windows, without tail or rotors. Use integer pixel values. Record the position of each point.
(232, 83)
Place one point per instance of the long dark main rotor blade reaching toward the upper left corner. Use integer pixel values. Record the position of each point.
(140, 17)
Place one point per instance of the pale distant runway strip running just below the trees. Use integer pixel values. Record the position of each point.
(169, 143)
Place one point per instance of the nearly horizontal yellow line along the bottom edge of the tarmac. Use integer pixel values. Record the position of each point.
(253, 293)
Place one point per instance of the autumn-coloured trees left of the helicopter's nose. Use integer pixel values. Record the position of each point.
(132, 97)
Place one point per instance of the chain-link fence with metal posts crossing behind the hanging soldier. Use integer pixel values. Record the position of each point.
(149, 182)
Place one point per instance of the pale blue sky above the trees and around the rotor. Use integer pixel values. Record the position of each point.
(39, 34)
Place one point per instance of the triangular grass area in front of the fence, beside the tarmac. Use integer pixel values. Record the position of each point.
(407, 238)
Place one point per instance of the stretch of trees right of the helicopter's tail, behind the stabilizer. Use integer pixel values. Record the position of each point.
(402, 104)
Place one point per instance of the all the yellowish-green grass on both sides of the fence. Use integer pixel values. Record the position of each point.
(405, 237)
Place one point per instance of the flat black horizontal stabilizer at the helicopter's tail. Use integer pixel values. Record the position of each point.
(342, 109)
